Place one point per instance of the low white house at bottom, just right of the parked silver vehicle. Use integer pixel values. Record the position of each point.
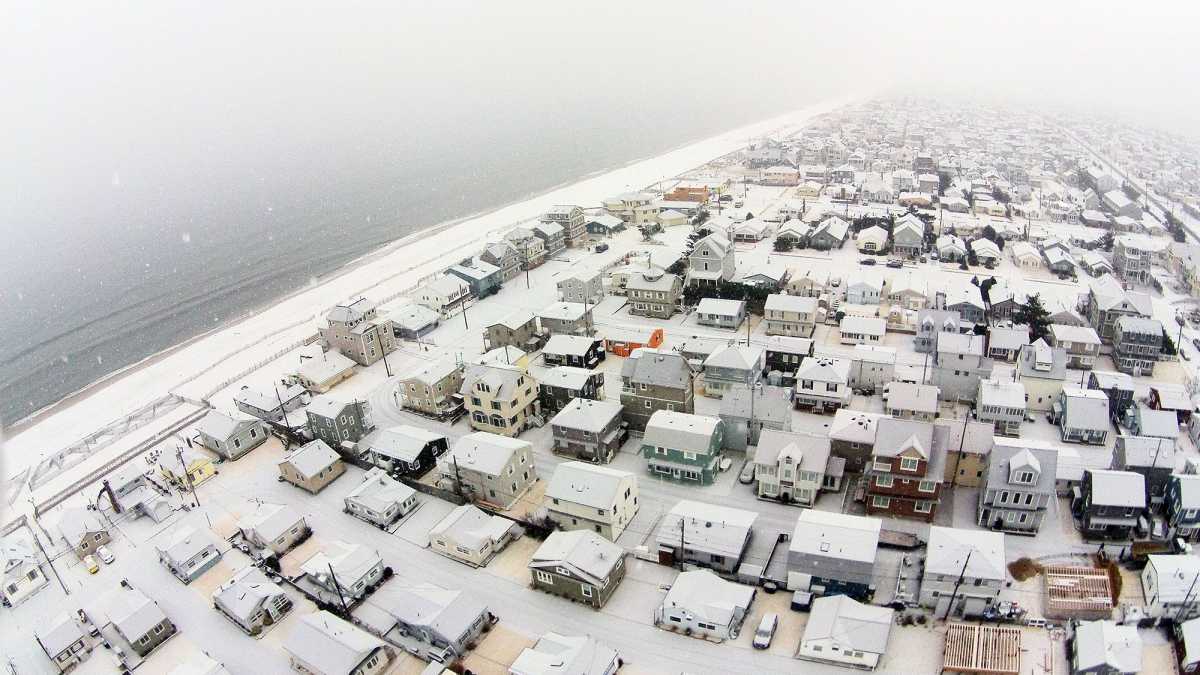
(844, 632)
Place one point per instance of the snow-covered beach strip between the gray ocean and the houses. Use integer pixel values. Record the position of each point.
(203, 365)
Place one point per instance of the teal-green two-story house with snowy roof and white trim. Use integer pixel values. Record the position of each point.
(683, 447)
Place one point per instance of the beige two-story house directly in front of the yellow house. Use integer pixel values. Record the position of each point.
(489, 468)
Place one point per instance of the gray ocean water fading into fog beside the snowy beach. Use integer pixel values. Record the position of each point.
(149, 249)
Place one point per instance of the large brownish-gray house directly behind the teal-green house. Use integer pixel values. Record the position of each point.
(652, 381)
